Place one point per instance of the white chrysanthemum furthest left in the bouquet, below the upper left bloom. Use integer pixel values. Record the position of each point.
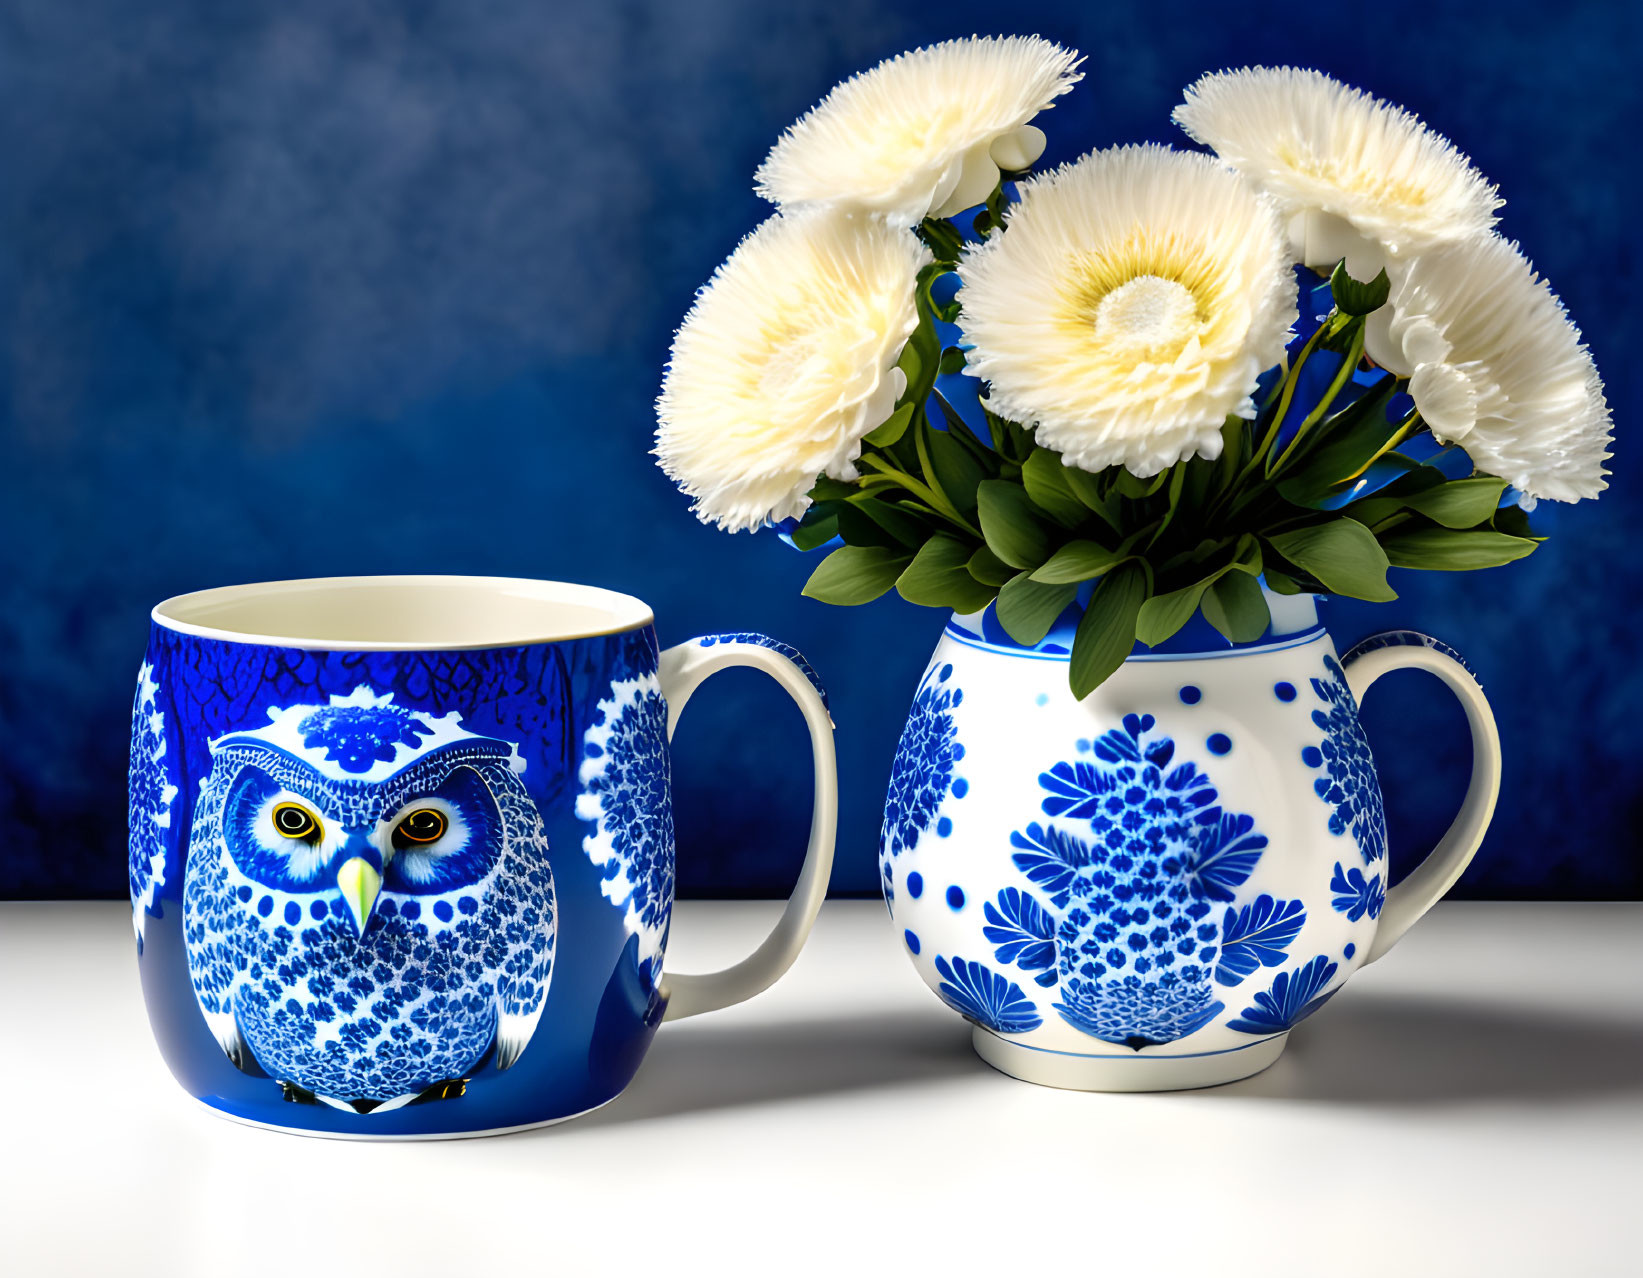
(786, 361)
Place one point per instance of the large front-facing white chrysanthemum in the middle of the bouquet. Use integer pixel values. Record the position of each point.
(1130, 306)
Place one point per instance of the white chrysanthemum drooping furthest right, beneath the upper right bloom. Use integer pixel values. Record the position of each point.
(1498, 367)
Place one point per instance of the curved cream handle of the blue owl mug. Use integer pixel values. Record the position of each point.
(683, 671)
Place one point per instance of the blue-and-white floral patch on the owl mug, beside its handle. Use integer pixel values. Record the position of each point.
(625, 798)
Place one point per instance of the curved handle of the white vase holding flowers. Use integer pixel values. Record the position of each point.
(1438, 871)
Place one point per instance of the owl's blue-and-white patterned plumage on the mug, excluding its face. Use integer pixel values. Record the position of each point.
(402, 1008)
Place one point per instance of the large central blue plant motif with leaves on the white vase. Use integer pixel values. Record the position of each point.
(1131, 937)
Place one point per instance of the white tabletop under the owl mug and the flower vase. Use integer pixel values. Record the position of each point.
(1471, 1106)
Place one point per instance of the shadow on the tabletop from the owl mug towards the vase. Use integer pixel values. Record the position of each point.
(760, 1064)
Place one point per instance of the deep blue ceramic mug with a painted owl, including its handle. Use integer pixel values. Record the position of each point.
(402, 848)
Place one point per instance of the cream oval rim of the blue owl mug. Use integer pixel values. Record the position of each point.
(625, 612)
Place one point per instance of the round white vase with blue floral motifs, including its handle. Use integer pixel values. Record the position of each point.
(1151, 888)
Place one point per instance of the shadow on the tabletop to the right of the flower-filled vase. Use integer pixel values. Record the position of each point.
(1402, 1052)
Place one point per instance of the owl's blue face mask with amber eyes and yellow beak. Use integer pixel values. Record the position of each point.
(435, 829)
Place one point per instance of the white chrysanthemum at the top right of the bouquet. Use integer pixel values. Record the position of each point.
(1356, 178)
